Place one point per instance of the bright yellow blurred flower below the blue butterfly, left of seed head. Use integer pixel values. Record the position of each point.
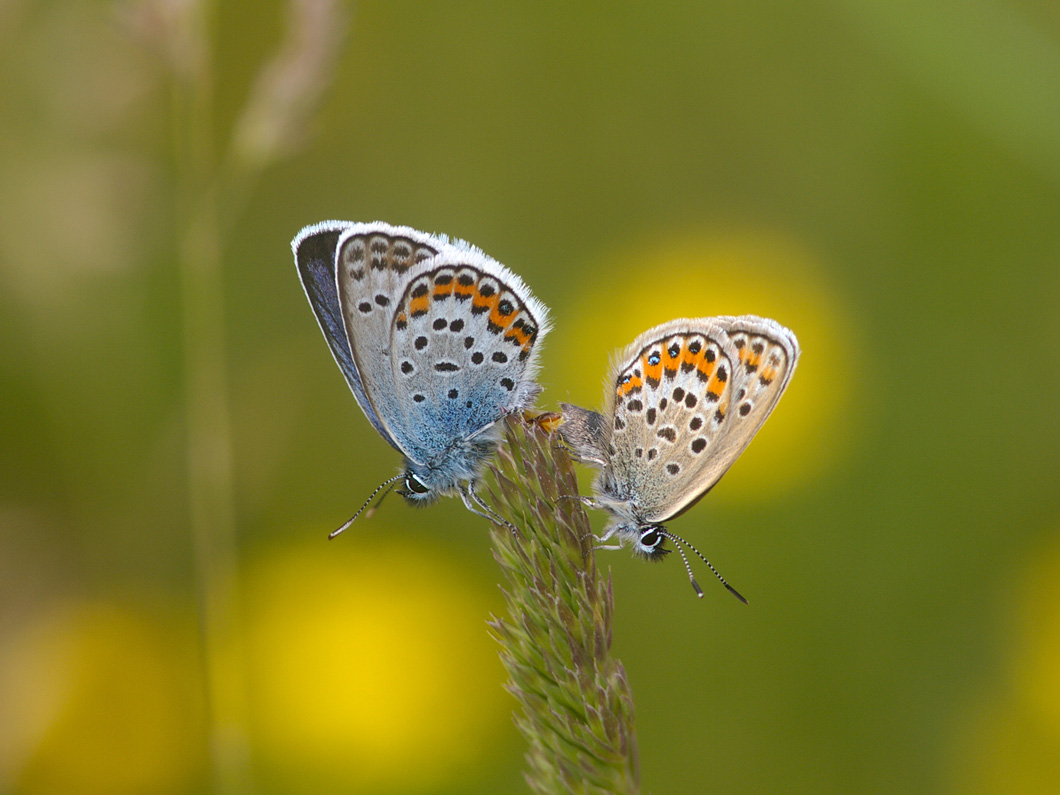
(373, 668)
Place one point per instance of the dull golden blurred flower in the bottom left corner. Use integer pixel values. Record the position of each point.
(100, 700)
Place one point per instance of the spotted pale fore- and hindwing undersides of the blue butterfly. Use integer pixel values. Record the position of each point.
(444, 337)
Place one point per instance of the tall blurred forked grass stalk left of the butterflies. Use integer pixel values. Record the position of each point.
(210, 193)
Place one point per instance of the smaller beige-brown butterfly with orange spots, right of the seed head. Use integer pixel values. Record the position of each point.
(682, 403)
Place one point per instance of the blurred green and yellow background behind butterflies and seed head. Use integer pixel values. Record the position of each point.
(882, 178)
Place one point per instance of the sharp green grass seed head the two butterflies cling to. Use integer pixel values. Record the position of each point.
(577, 706)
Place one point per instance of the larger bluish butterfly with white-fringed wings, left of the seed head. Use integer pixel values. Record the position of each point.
(437, 341)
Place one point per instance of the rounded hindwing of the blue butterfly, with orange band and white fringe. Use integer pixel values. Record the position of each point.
(465, 340)
